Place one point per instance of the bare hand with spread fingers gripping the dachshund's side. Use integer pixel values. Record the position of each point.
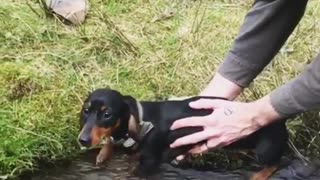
(229, 122)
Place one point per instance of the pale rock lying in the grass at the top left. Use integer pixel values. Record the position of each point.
(74, 11)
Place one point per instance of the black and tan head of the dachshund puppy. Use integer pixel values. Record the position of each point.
(104, 114)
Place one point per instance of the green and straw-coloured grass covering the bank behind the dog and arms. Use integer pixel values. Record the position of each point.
(47, 68)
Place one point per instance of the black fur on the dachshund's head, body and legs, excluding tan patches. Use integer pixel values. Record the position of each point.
(268, 142)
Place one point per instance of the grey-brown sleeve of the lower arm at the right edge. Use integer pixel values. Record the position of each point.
(301, 94)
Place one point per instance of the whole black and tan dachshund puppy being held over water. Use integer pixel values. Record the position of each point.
(108, 113)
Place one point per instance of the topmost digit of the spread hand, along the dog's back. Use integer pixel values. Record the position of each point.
(208, 103)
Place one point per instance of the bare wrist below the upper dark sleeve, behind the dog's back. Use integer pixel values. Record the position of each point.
(221, 87)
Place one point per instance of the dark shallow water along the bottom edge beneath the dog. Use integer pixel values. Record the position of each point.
(119, 167)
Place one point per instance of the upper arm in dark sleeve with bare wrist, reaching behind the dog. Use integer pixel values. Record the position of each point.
(265, 29)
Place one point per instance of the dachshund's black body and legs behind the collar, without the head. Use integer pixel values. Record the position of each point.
(269, 142)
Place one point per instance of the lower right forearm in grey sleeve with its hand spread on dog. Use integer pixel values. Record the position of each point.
(232, 121)
